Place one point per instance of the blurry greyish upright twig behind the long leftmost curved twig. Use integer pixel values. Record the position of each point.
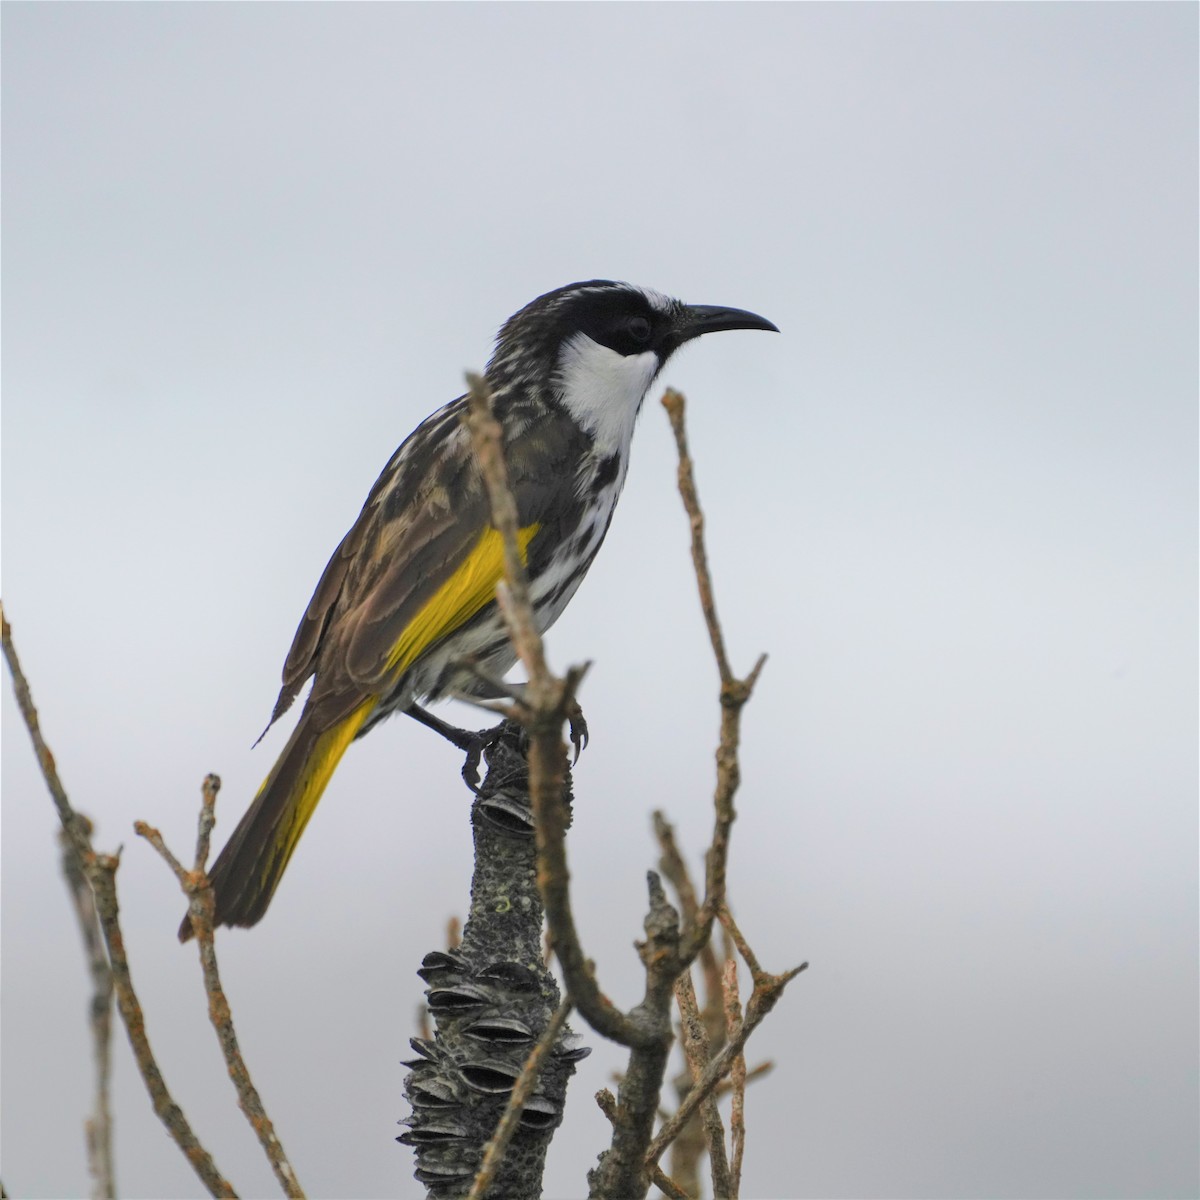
(99, 1129)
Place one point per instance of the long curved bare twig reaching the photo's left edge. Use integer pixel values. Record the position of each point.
(101, 874)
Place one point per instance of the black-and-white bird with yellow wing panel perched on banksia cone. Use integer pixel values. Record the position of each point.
(409, 599)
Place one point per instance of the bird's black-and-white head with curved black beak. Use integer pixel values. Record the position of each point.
(596, 349)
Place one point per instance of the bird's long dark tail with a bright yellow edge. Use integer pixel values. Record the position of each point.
(248, 872)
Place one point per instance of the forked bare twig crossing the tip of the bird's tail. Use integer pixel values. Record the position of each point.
(199, 890)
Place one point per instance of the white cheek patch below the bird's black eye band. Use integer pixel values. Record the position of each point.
(604, 391)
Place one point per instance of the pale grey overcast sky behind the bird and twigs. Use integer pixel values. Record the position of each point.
(247, 249)
